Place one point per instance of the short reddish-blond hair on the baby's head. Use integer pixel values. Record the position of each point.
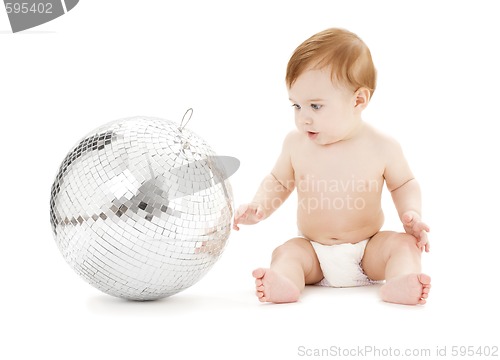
(344, 52)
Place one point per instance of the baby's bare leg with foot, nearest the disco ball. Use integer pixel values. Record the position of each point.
(294, 264)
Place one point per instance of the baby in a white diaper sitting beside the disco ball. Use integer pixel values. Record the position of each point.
(338, 165)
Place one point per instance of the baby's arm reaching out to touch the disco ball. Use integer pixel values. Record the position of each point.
(273, 190)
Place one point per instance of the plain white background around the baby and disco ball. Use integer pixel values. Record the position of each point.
(438, 66)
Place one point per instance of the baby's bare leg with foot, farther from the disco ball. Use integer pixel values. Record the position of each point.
(395, 257)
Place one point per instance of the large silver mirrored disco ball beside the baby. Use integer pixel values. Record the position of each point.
(141, 208)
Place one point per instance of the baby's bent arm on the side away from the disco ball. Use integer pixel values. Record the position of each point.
(405, 192)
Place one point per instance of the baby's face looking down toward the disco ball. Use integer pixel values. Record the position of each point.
(326, 113)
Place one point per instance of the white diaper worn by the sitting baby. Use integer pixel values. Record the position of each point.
(341, 264)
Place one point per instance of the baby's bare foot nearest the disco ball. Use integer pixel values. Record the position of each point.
(274, 287)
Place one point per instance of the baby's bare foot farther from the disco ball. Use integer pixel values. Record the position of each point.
(410, 289)
